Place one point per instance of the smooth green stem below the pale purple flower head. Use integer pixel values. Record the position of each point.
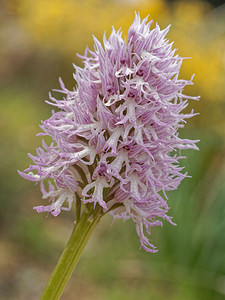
(80, 235)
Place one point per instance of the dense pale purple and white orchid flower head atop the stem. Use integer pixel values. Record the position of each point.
(115, 136)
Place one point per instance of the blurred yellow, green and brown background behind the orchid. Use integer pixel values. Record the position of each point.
(39, 41)
